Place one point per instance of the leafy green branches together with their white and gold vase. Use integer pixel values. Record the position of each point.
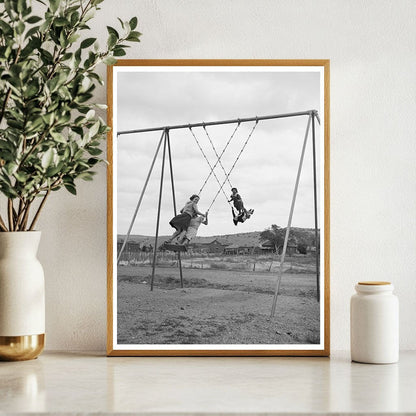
(50, 136)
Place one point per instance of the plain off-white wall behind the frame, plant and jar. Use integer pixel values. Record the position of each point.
(371, 45)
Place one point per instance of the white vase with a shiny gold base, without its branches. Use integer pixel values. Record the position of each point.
(22, 296)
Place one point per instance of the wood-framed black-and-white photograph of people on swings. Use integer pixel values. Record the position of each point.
(218, 208)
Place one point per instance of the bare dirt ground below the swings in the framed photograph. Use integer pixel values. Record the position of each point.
(215, 307)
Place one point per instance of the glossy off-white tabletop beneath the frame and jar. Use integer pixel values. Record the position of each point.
(84, 383)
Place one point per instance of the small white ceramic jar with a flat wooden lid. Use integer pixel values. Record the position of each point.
(374, 323)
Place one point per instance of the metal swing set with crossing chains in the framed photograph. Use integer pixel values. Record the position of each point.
(165, 139)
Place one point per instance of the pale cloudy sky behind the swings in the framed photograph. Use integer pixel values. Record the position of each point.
(266, 171)
